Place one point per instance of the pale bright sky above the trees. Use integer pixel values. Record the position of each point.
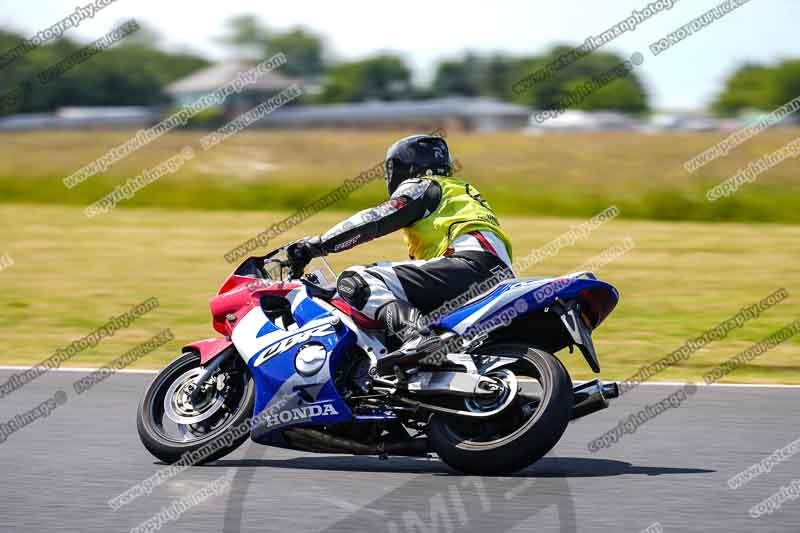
(686, 77)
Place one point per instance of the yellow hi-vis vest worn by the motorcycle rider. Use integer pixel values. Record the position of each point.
(461, 210)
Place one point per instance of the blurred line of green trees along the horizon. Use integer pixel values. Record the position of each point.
(136, 72)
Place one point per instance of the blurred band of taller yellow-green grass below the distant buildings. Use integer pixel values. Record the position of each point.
(568, 175)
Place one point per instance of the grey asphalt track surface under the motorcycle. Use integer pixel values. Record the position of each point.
(59, 473)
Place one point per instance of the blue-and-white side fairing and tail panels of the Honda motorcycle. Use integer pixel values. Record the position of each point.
(285, 398)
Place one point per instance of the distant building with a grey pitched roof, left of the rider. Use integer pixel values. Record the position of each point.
(209, 79)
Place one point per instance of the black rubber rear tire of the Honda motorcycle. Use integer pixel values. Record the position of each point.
(528, 443)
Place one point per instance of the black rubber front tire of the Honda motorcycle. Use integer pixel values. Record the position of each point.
(169, 450)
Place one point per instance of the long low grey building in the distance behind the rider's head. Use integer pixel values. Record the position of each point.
(454, 113)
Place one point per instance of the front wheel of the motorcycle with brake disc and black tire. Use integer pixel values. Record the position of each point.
(171, 424)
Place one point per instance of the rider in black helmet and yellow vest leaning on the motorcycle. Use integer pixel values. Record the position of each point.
(454, 240)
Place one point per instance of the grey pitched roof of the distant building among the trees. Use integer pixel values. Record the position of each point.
(215, 76)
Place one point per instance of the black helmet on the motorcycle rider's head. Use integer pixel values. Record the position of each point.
(416, 156)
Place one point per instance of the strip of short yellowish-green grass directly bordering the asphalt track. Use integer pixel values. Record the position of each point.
(71, 274)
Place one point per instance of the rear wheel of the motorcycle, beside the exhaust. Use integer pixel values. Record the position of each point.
(524, 431)
